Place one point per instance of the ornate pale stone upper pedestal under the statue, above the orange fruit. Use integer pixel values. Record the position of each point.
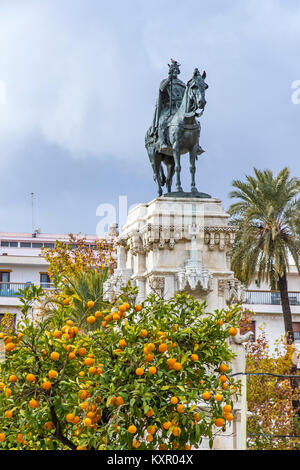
(177, 244)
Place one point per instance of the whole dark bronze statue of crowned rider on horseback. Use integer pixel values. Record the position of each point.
(175, 129)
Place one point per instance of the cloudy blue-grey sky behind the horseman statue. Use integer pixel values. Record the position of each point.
(81, 78)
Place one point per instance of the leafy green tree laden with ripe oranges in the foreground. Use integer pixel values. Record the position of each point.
(154, 376)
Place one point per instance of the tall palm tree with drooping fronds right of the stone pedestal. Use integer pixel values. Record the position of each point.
(267, 217)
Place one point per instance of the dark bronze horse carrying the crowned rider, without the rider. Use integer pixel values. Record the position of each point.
(183, 133)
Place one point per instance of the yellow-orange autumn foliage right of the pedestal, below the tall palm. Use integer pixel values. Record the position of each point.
(270, 398)
